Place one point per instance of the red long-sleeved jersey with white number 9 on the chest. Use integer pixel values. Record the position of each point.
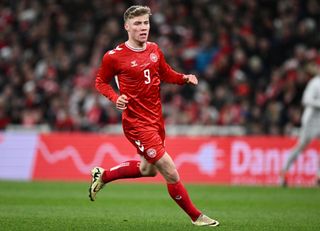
(138, 74)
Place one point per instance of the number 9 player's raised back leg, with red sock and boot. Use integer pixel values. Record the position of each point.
(128, 169)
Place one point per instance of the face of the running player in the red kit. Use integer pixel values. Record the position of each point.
(138, 29)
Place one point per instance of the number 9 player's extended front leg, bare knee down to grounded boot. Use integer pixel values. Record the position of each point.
(179, 194)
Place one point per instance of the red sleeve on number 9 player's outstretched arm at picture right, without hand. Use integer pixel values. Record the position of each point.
(167, 74)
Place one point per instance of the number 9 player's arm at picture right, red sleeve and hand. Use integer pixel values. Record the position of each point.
(167, 74)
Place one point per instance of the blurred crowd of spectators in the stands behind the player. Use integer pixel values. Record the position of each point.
(253, 59)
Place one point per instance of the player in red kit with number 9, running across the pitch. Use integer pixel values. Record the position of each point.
(140, 67)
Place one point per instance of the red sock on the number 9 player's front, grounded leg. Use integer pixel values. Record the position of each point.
(180, 195)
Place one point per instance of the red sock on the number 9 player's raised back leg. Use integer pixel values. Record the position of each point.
(128, 169)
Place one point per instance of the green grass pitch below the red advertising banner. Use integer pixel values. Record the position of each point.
(130, 206)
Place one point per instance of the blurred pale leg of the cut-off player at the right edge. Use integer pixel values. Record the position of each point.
(299, 147)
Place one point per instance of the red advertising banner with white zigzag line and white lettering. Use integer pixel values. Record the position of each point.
(219, 160)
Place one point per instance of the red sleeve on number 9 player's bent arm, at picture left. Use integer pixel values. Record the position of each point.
(104, 75)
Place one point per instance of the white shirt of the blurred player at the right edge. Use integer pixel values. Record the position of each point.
(310, 95)
